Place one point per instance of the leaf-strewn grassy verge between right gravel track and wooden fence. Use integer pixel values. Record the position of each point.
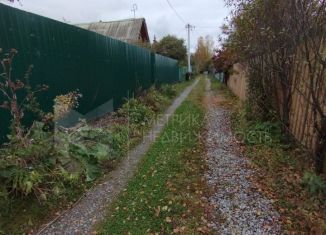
(285, 170)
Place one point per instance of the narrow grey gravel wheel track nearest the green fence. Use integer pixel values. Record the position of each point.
(92, 208)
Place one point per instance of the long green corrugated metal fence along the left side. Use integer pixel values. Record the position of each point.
(67, 58)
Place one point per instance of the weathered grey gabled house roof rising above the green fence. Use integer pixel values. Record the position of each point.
(129, 30)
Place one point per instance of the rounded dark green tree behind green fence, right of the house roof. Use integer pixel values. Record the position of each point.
(172, 47)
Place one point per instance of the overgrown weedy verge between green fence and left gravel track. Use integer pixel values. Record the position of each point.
(98, 150)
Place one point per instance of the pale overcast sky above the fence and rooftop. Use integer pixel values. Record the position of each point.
(206, 15)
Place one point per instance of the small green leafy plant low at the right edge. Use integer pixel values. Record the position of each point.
(315, 184)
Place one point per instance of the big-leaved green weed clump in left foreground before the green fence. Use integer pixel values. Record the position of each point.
(49, 163)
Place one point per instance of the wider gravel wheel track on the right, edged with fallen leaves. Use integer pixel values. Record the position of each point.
(240, 208)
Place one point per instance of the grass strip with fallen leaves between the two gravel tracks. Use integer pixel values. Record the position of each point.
(165, 196)
